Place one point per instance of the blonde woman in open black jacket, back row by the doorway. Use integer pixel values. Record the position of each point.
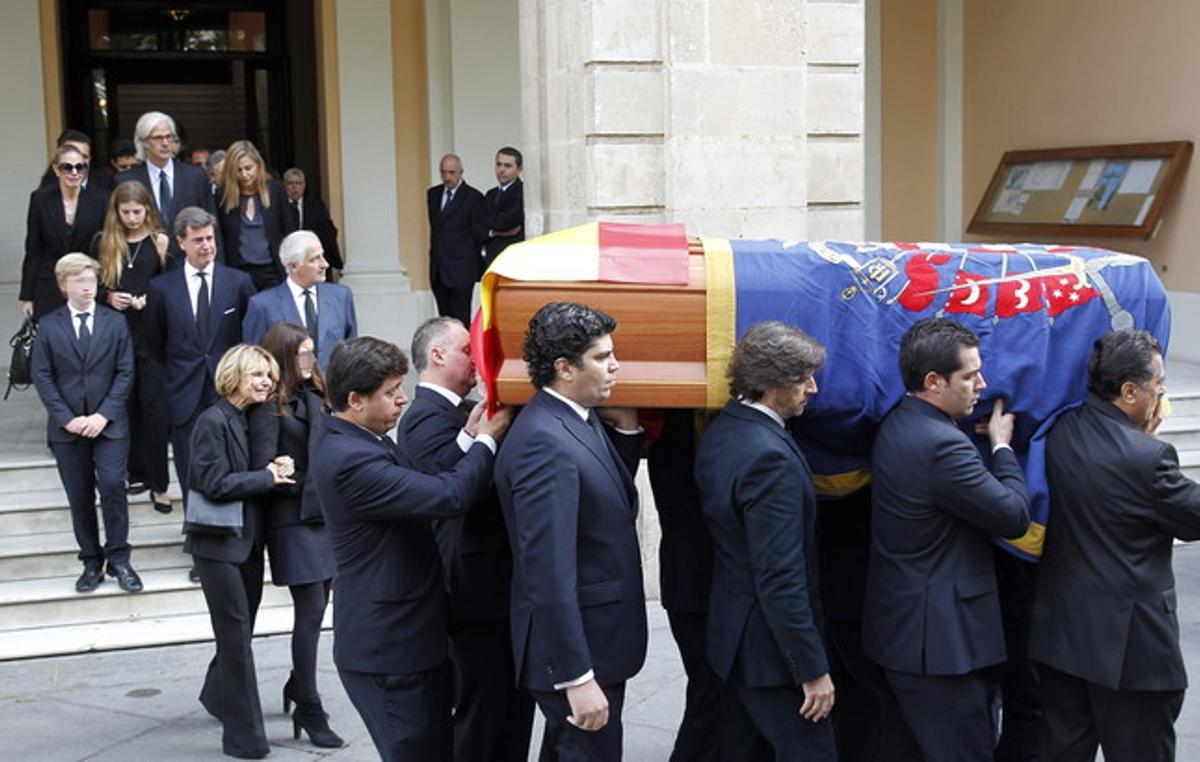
(253, 217)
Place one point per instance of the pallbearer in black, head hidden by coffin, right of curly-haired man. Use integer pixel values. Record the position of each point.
(686, 573)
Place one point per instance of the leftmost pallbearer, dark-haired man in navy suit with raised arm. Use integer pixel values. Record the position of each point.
(391, 610)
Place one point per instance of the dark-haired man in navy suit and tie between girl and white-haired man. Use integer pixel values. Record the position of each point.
(194, 315)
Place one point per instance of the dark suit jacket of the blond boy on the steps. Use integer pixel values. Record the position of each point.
(73, 383)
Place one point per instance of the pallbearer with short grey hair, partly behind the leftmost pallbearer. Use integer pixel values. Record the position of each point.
(494, 718)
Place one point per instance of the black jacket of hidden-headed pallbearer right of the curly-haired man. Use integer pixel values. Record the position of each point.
(686, 553)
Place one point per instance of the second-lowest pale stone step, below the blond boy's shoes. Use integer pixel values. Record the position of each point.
(55, 603)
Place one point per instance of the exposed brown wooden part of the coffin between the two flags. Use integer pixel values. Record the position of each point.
(661, 338)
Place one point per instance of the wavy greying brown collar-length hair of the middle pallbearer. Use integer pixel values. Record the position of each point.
(772, 355)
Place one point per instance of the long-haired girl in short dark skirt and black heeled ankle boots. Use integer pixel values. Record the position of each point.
(297, 541)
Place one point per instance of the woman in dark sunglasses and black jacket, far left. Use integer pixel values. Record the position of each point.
(63, 219)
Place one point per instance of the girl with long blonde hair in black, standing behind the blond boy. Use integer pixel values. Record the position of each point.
(133, 249)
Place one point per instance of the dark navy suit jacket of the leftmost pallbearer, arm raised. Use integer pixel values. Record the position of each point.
(391, 609)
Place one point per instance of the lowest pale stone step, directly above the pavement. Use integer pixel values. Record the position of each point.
(135, 633)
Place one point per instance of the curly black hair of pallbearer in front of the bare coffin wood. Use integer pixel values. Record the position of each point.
(562, 329)
